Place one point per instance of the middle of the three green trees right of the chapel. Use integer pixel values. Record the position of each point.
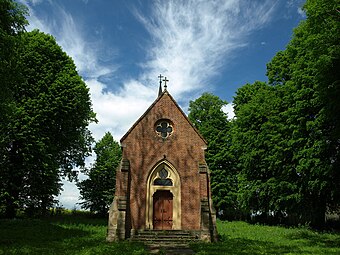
(267, 180)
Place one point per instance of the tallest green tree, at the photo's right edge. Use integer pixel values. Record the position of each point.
(309, 69)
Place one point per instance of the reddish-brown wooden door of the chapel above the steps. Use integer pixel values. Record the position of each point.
(162, 209)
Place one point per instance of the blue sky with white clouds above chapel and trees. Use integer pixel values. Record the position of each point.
(120, 48)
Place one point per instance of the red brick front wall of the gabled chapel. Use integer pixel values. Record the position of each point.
(184, 149)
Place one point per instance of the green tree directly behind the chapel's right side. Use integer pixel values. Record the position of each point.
(207, 116)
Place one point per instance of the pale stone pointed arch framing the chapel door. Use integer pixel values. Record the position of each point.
(174, 187)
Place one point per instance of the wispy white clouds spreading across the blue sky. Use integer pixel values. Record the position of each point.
(191, 40)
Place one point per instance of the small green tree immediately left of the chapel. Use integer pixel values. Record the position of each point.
(98, 190)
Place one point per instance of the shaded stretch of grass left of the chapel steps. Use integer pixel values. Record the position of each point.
(61, 235)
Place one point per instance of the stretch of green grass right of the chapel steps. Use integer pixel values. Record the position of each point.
(243, 238)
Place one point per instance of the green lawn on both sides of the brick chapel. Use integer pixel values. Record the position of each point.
(83, 235)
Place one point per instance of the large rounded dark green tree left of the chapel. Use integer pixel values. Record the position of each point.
(47, 135)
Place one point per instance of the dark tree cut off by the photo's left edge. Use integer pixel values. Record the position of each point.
(12, 24)
